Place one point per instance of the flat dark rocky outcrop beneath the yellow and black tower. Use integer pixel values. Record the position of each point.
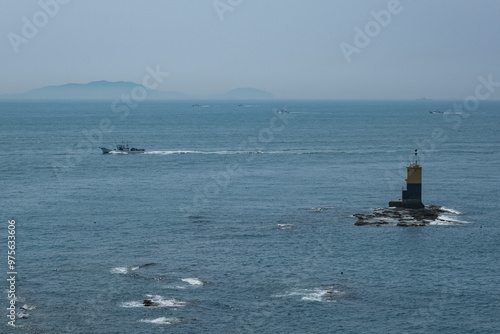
(400, 216)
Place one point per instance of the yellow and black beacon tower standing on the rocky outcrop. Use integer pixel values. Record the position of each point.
(412, 196)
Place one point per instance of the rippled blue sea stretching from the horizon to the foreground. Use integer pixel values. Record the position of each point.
(239, 219)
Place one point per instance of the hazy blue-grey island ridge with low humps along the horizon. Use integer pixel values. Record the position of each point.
(106, 90)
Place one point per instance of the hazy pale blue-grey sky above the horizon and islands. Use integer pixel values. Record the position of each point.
(291, 48)
